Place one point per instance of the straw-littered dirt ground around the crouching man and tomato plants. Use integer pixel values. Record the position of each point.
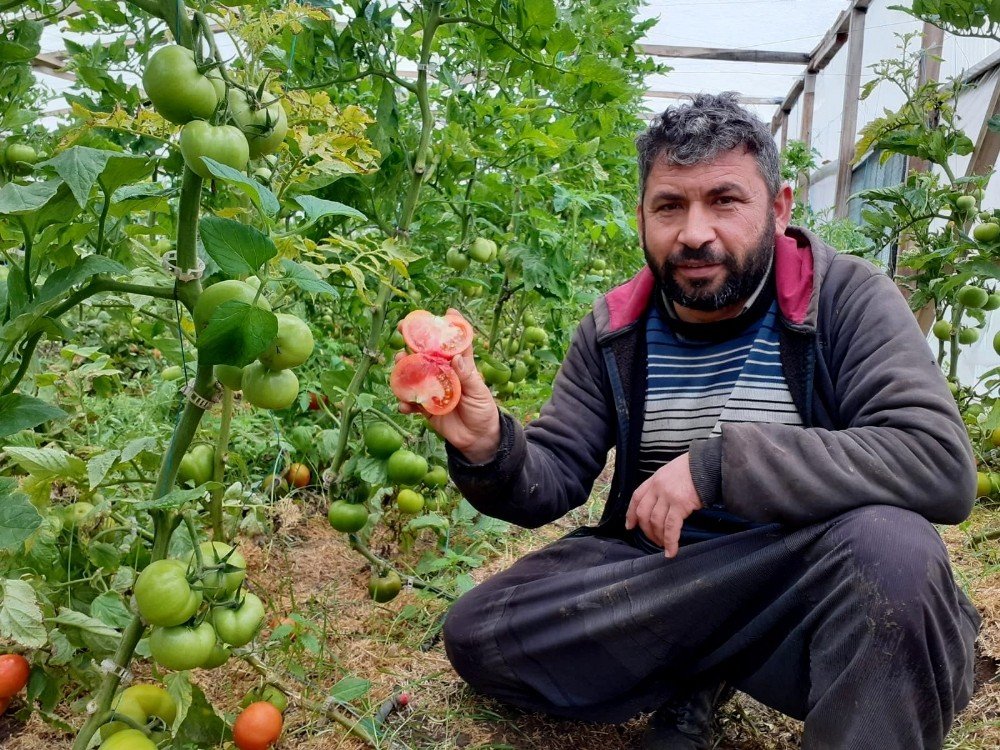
(306, 567)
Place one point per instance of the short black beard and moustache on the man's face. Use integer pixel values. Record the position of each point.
(740, 281)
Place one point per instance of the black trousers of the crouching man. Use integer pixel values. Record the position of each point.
(854, 625)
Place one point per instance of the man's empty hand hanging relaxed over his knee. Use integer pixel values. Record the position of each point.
(661, 503)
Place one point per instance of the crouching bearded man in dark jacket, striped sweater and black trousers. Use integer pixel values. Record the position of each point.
(784, 441)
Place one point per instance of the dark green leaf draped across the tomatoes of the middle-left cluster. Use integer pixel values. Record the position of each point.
(236, 334)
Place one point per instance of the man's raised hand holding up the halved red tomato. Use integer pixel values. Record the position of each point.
(473, 427)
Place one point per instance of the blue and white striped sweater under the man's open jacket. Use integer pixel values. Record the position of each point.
(702, 376)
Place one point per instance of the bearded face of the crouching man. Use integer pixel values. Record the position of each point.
(708, 232)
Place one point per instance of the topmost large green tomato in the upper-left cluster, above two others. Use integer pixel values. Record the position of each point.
(178, 91)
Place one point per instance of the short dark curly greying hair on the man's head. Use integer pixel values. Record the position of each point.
(697, 132)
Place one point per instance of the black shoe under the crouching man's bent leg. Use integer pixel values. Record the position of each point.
(685, 723)
